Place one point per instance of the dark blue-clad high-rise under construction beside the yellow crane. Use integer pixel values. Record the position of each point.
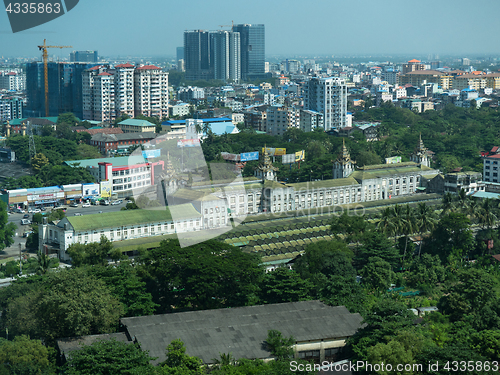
(64, 88)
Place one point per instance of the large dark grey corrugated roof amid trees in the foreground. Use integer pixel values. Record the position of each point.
(241, 331)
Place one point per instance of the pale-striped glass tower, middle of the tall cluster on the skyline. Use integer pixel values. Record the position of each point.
(226, 55)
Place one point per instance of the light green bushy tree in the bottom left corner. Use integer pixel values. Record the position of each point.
(25, 357)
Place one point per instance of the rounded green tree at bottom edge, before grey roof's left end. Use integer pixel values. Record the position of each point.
(109, 357)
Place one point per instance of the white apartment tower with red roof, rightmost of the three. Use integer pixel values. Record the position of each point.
(150, 91)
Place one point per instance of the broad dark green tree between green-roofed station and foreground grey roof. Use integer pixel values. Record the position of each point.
(203, 276)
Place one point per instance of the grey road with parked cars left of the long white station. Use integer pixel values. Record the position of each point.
(15, 218)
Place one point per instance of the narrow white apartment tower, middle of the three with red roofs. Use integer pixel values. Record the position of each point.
(124, 89)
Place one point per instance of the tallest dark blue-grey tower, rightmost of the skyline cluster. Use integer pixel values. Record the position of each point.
(253, 50)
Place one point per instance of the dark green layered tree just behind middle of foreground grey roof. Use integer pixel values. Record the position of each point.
(284, 285)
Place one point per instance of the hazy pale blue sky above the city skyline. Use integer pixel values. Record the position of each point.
(293, 27)
